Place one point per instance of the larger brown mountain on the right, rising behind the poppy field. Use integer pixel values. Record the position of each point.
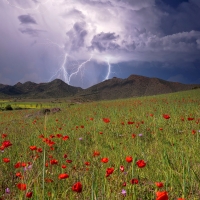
(133, 86)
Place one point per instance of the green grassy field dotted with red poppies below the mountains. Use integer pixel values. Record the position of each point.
(138, 149)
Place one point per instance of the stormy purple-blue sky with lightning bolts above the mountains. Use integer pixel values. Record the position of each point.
(84, 42)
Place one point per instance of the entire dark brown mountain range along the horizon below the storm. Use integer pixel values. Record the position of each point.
(115, 88)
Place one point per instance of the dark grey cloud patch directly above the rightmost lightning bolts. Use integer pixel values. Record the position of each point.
(104, 41)
